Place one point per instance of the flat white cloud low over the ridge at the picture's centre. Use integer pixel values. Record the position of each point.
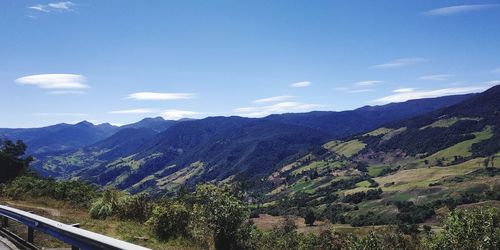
(282, 107)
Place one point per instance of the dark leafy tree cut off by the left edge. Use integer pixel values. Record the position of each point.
(12, 163)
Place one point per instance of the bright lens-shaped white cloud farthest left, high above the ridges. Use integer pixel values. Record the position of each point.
(57, 82)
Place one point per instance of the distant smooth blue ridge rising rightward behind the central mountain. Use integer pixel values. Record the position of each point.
(347, 123)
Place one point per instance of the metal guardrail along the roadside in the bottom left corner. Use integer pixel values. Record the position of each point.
(76, 237)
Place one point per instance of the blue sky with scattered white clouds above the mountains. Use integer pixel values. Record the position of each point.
(120, 61)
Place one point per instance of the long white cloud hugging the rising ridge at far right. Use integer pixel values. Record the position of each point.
(410, 94)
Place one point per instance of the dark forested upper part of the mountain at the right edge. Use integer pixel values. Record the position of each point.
(440, 129)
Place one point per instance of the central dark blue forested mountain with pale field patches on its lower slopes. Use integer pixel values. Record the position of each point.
(211, 149)
